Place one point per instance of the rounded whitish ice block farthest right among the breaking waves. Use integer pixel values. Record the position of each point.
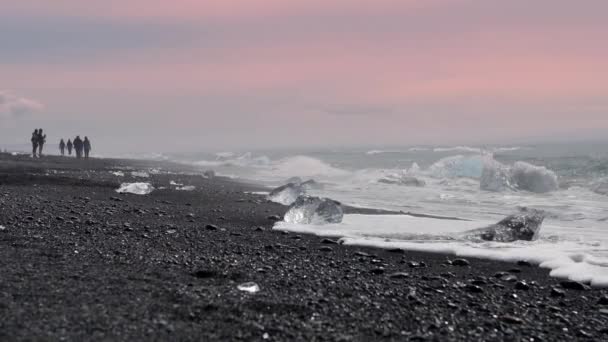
(534, 178)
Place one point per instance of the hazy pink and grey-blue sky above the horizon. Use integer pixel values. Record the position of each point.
(189, 75)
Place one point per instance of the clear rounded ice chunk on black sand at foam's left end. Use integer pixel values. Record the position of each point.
(314, 210)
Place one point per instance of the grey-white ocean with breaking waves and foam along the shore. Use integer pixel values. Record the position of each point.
(466, 187)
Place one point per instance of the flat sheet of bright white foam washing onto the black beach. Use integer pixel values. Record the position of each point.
(566, 251)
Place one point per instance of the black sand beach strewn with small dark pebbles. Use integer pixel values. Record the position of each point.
(81, 262)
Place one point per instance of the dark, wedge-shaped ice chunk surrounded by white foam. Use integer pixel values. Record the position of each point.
(524, 226)
